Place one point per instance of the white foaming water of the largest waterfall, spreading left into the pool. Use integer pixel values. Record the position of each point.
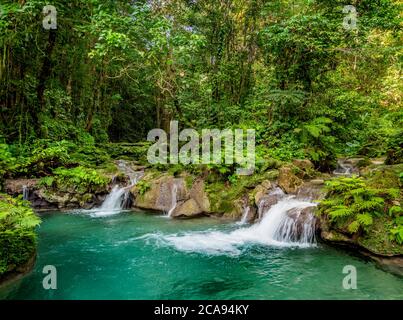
(275, 229)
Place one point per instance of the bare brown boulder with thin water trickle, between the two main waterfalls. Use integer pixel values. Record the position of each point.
(167, 193)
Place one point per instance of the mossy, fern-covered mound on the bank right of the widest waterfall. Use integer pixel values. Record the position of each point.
(361, 207)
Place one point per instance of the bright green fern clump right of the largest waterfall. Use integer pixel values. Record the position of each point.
(372, 215)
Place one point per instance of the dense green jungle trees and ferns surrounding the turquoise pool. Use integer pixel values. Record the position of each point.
(74, 98)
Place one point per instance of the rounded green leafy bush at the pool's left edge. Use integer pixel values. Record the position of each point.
(17, 235)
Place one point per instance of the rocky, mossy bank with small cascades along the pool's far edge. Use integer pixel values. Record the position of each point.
(183, 194)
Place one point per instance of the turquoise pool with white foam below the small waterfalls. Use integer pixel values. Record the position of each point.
(134, 255)
